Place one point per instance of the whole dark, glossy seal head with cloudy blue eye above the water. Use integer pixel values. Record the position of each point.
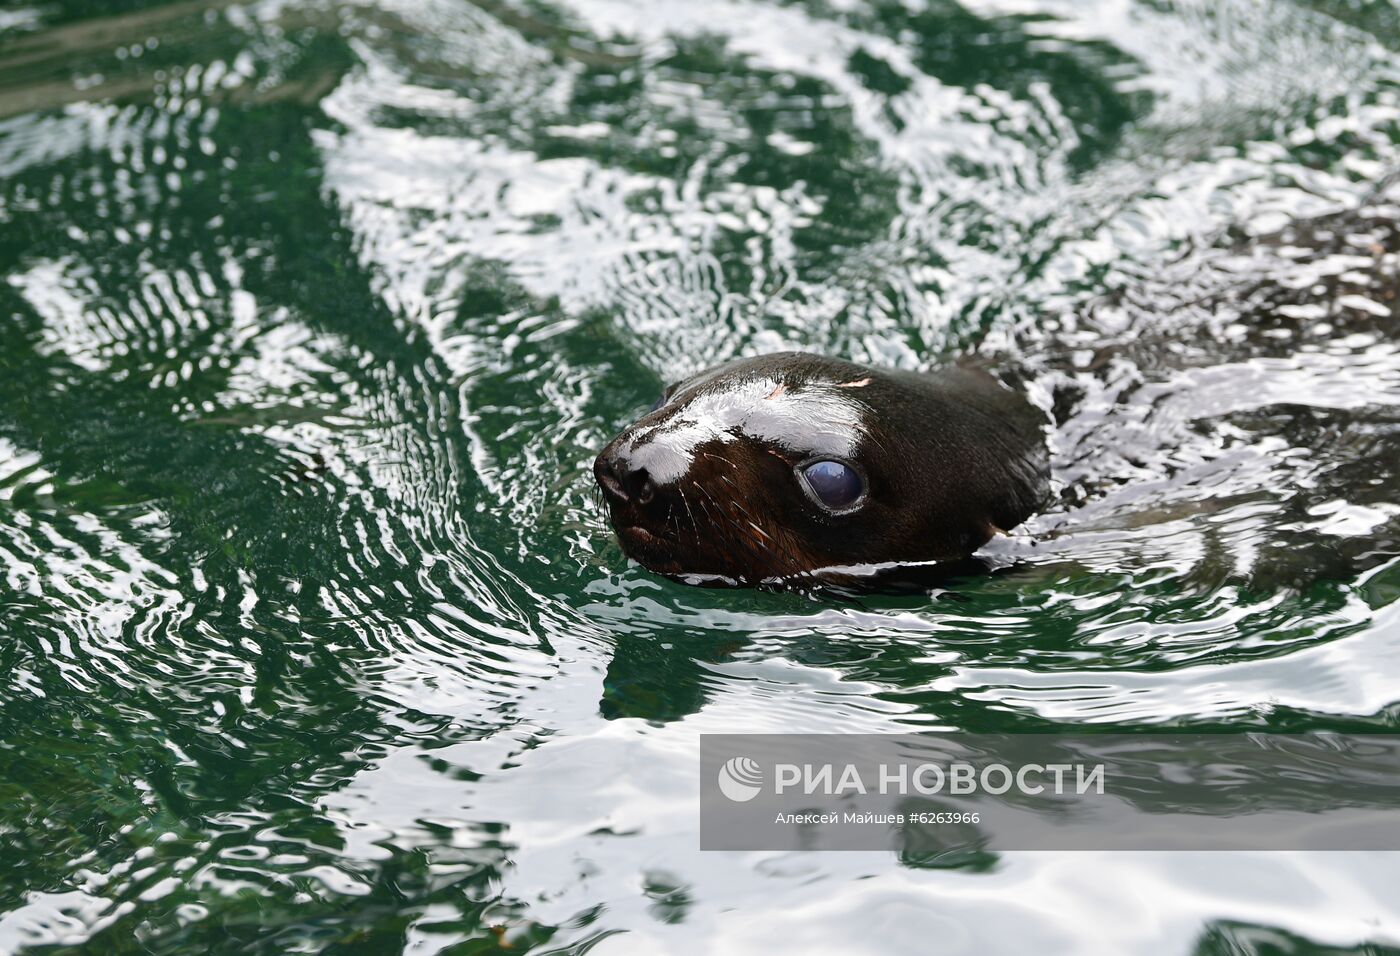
(796, 467)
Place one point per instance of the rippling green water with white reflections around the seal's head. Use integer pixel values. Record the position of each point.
(313, 633)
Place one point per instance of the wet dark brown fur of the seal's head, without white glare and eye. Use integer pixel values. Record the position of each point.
(950, 457)
